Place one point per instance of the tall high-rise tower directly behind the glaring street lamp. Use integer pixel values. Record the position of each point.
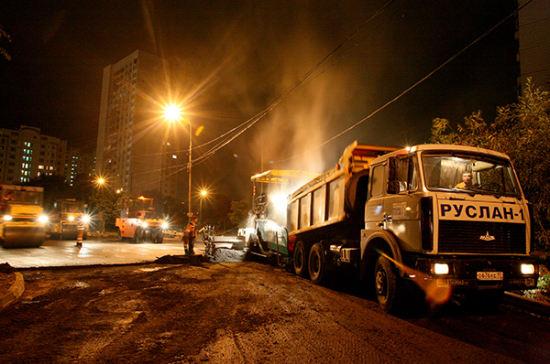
(134, 147)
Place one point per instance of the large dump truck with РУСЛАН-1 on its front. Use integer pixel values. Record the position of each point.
(405, 223)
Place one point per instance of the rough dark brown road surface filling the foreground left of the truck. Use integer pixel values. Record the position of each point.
(209, 313)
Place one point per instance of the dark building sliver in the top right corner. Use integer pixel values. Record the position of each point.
(533, 34)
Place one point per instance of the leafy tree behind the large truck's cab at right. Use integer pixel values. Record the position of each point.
(522, 131)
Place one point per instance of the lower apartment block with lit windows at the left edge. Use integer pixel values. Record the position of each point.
(27, 154)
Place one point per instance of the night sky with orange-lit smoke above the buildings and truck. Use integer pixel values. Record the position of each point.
(232, 59)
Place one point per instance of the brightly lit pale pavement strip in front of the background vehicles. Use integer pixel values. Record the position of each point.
(94, 251)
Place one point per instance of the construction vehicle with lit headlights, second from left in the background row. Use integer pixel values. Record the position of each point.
(65, 216)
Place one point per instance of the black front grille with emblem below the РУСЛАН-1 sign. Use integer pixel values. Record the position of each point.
(465, 237)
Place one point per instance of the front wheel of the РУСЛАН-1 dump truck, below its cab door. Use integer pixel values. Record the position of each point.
(385, 284)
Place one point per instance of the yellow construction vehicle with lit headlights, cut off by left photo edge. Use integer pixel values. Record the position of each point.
(22, 219)
